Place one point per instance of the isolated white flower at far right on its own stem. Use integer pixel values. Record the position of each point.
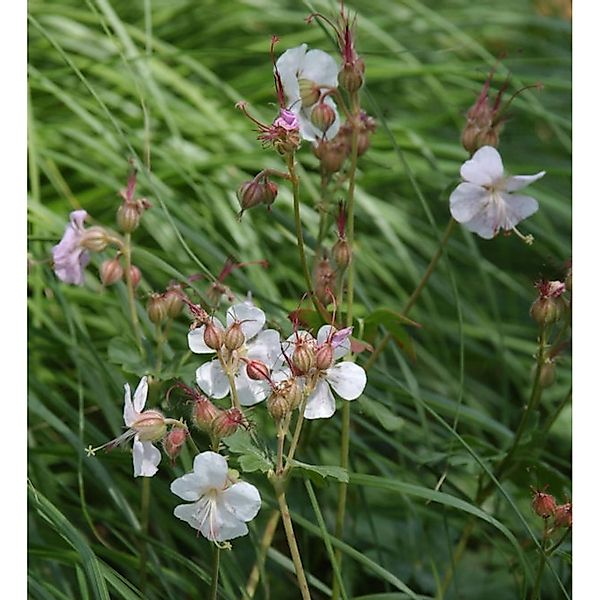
(484, 202)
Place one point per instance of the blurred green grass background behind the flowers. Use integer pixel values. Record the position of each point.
(107, 79)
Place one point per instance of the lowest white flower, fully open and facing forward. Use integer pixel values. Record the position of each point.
(220, 509)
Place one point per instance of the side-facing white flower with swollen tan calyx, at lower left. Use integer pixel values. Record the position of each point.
(144, 427)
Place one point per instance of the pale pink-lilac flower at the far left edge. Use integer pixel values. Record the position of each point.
(70, 258)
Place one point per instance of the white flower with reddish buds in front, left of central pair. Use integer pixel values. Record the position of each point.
(259, 345)
